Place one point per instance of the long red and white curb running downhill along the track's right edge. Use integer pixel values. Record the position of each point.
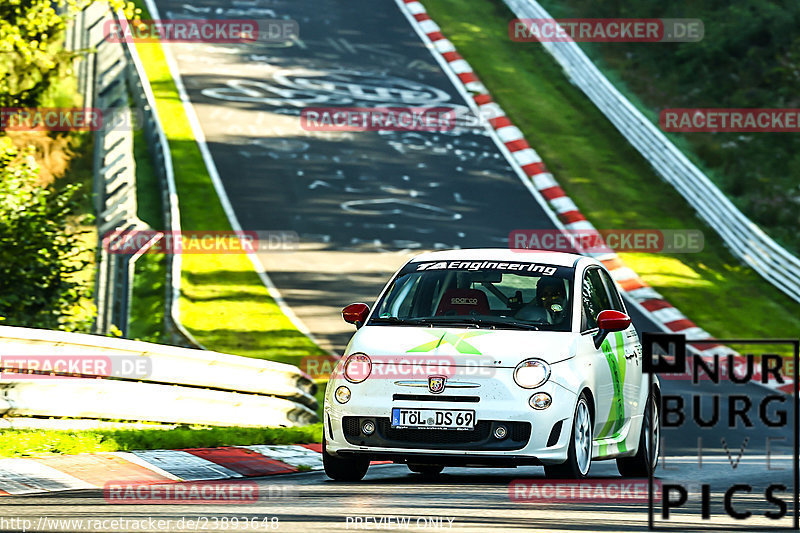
(526, 158)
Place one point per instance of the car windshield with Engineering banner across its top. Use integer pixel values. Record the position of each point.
(485, 293)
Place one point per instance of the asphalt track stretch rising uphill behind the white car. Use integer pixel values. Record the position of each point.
(361, 203)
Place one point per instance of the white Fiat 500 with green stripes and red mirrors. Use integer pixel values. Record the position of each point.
(492, 357)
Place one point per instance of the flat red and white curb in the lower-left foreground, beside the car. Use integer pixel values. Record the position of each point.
(95, 470)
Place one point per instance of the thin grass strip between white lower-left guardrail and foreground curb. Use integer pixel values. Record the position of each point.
(27, 442)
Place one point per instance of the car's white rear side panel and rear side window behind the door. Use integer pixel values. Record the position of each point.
(627, 345)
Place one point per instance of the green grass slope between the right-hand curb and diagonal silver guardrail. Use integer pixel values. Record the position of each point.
(609, 181)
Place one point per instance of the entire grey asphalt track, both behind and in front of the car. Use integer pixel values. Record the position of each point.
(361, 203)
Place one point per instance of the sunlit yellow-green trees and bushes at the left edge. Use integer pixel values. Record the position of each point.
(38, 253)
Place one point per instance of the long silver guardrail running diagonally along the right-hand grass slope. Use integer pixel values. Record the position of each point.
(742, 236)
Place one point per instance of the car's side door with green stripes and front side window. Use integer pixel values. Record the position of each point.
(610, 368)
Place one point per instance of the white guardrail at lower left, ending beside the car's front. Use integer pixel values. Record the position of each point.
(180, 385)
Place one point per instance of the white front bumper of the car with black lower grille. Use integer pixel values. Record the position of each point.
(533, 437)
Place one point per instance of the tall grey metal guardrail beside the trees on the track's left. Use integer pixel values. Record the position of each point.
(107, 74)
